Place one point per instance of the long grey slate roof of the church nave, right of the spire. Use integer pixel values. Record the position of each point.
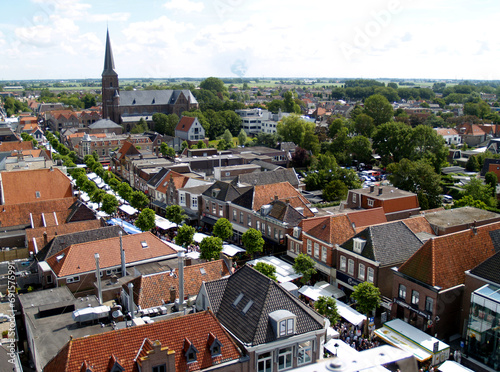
(153, 97)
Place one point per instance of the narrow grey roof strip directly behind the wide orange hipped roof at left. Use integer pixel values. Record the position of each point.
(61, 242)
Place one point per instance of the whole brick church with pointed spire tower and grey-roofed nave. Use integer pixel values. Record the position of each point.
(128, 107)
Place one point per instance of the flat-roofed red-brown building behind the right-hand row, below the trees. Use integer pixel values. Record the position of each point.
(396, 203)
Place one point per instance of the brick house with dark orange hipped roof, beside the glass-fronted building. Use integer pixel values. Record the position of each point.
(428, 288)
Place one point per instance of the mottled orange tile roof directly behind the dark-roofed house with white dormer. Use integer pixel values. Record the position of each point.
(154, 290)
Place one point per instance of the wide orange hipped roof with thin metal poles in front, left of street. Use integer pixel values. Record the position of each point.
(79, 258)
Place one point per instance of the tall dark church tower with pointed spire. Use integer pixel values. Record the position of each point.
(110, 86)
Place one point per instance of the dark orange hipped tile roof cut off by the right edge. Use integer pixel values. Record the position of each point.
(443, 260)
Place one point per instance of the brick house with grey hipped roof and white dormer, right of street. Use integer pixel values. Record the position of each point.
(371, 254)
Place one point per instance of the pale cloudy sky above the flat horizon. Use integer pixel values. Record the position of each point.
(399, 39)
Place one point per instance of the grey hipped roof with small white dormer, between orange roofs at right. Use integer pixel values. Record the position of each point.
(389, 243)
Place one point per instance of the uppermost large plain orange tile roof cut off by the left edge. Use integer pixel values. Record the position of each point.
(34, 185)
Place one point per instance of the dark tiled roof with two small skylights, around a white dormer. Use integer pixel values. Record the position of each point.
(254, 328)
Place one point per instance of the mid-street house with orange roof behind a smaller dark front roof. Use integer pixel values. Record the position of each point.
(274, 209)
